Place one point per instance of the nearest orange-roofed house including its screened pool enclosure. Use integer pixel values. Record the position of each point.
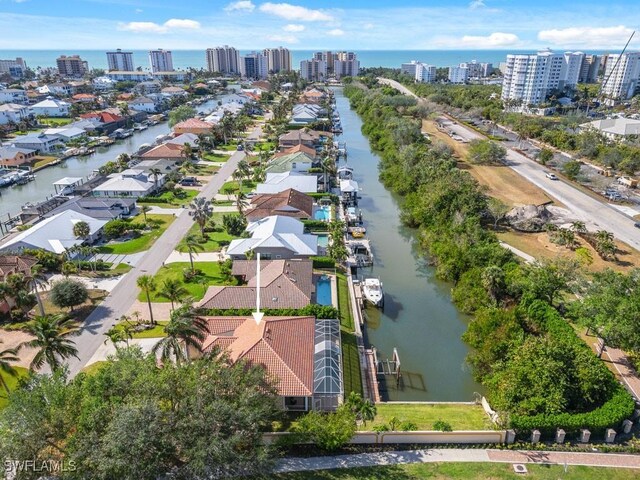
(303, 354)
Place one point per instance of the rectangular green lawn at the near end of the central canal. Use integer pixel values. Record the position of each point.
(460, 417)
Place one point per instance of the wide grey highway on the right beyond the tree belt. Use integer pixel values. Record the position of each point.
(596, 214)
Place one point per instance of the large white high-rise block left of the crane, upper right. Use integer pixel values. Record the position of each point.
(530, 78)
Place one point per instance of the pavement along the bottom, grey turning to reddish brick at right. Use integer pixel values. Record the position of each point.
(457, 455)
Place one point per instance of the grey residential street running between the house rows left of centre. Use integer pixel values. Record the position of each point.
(91, 336)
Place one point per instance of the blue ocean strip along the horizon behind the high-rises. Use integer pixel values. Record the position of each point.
(183, 59)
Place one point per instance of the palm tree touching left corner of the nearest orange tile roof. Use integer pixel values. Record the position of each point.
(183, 330)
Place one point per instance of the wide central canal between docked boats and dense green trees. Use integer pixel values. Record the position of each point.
(418, 317)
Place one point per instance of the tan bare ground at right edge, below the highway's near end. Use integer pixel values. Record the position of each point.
(539, 246)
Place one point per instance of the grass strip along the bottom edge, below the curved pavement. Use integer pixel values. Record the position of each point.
(463, 471)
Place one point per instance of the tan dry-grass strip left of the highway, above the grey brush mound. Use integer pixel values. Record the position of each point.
(501, 182)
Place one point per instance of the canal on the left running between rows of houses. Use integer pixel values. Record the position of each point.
(42, 187)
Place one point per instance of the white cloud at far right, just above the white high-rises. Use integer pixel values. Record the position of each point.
(603, 37)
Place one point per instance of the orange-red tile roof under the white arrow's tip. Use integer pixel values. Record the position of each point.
(283, 345)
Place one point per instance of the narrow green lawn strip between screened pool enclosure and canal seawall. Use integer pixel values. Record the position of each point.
(350, 356)
